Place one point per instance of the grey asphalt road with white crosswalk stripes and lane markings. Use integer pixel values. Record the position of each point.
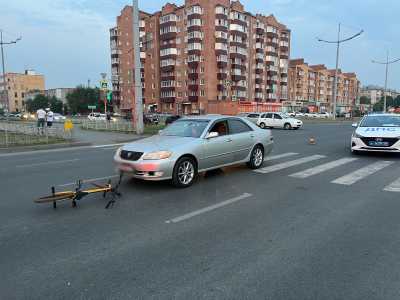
(314, 224)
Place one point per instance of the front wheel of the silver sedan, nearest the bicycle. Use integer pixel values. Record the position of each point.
(185, 172)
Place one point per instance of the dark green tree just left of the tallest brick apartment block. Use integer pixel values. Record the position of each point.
(81, 98)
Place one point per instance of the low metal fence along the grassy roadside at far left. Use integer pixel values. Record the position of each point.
(14, 133)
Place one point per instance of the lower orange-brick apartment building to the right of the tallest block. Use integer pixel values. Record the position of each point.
(312, 86)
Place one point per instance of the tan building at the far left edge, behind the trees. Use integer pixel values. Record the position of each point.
(18, 85)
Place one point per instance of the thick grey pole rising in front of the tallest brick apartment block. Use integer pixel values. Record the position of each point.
(138, 118)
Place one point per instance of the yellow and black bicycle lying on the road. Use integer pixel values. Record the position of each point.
(80, 193)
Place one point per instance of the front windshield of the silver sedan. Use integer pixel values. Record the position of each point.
(186, 128)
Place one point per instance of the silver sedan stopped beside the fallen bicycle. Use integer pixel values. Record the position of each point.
(193, 145)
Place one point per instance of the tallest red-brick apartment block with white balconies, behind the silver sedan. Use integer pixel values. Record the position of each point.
(206, 56)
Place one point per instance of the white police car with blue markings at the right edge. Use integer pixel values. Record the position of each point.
(377, 133)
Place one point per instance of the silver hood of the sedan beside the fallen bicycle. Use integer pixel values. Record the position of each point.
(157, 143)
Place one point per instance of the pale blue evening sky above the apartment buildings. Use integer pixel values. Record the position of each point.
(68, 40)
